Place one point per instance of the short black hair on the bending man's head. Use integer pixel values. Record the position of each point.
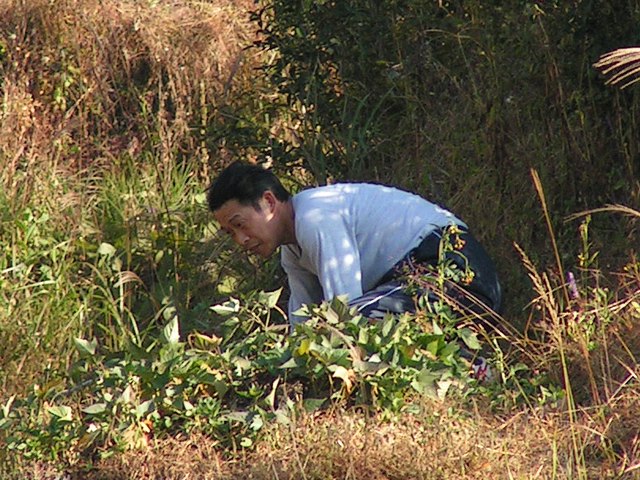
(245, 183)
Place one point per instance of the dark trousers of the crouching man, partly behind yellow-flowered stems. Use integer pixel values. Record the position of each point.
(396, 291)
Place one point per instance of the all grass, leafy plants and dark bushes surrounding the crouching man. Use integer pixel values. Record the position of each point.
(138, 344)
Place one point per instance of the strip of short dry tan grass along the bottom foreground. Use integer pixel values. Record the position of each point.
(448, 440)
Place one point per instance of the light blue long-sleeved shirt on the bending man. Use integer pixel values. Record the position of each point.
(349, 235)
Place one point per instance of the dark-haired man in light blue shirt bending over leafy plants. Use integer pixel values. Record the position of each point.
(353, 239)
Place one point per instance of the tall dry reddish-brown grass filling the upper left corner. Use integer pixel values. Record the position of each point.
(84, 81)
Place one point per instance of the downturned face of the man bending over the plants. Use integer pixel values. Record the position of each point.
(255, 230)
